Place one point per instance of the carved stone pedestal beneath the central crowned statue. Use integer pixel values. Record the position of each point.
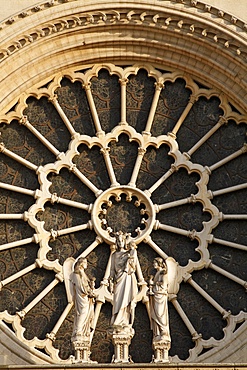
(121, 339)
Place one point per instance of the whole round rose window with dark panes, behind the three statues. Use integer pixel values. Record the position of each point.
(111, 147)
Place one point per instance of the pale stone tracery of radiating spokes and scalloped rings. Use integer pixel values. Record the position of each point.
(181, 161)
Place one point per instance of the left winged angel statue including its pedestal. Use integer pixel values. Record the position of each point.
(79, 290)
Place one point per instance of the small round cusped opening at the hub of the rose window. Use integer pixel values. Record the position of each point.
(123, 208)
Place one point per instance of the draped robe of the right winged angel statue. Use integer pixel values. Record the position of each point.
(159, 307)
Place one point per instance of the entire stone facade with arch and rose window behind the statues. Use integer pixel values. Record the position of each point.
(106, 91)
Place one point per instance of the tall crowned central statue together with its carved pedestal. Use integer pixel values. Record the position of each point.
(124, 289)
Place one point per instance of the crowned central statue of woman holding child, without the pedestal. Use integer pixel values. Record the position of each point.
(122, 274)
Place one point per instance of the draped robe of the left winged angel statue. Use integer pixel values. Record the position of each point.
(84, 311)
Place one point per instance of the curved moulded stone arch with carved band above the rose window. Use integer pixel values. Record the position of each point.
(164, 29)
